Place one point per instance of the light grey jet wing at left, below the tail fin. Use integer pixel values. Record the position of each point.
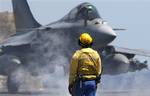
(23, 38)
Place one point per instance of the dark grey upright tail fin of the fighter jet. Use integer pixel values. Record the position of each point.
(23, 16)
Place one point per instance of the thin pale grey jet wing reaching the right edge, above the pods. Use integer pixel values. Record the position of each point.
(132, 51)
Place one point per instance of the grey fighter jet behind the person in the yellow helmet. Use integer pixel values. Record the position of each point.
(36, 47)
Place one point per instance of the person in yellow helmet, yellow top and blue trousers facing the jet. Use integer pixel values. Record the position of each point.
(85, 69)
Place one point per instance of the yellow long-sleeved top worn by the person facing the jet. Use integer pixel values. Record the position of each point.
(86, 62)
